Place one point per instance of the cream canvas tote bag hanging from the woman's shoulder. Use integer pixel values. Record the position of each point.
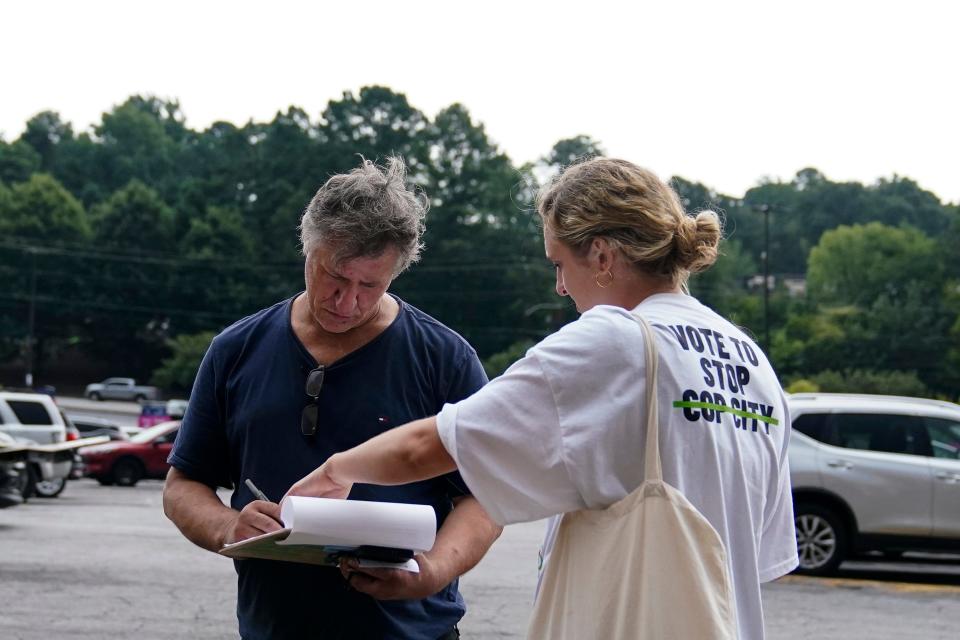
(649, 566)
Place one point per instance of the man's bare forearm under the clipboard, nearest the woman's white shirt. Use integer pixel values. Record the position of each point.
(463, 540)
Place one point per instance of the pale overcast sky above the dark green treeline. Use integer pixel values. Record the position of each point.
(725, 93)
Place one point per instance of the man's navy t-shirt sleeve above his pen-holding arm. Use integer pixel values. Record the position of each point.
(201, 450)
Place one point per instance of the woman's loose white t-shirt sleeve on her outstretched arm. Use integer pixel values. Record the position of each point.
(507, 443)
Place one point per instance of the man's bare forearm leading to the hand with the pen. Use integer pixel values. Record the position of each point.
(197, 511)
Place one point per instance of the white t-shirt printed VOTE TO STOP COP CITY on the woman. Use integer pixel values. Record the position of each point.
(563, 429)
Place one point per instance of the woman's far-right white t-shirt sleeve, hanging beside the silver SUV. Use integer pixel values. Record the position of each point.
(778, 542)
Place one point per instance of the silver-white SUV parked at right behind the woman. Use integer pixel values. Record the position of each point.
(873, 473)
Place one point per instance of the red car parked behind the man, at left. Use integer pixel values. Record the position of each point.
(125, 463)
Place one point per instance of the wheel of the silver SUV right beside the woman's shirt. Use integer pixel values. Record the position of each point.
(821, 539)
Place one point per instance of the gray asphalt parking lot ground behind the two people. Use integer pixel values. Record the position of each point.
(103, 562)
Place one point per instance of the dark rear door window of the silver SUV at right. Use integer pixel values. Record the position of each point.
(887, 433)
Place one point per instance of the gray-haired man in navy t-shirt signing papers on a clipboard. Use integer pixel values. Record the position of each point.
(281, 391)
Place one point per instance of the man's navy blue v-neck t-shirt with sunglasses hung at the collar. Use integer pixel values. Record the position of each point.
(243, 421)
